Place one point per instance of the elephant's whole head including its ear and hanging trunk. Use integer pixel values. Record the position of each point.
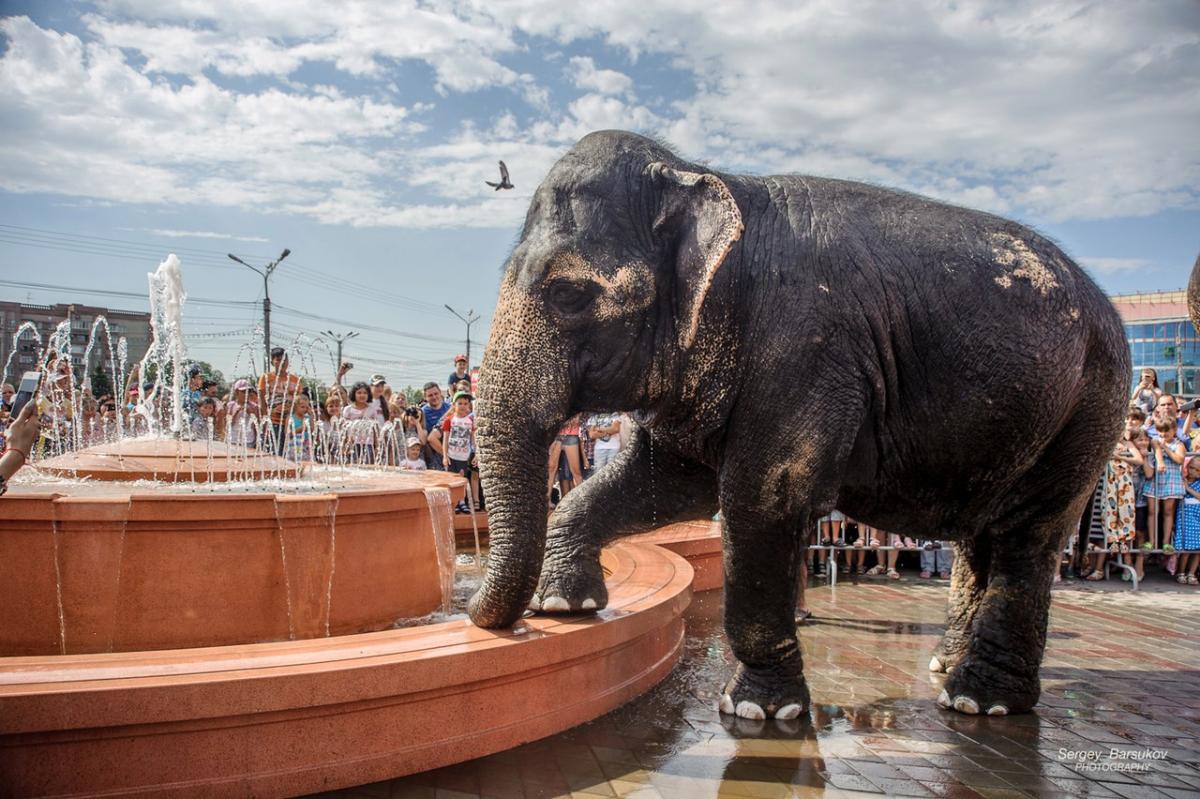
(601, 302)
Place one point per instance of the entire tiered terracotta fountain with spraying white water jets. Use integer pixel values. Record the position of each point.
(197, 618)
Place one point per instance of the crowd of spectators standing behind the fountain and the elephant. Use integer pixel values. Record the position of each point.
(1145, 512)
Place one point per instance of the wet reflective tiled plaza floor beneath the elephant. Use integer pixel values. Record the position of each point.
(1123, 675)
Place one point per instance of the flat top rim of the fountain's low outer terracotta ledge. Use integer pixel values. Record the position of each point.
(649, 585)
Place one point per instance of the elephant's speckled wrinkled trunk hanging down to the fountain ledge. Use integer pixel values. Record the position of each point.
(524, 389)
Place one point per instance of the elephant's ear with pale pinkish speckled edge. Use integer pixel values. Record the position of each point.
(699, 214)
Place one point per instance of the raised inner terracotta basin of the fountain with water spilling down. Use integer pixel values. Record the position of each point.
(119, 567)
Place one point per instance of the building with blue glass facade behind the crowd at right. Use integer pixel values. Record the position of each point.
(1162, 338)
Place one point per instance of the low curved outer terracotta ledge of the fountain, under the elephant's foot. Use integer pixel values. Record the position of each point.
(299, 717)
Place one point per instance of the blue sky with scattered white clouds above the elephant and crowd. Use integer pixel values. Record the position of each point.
(359, 135)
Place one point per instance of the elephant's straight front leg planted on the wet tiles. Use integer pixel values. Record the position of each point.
(763, 561)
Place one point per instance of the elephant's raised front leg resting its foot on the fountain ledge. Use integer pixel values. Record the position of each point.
(632, 495)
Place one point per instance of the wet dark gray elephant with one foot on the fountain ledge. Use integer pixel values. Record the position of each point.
(793, 345)
